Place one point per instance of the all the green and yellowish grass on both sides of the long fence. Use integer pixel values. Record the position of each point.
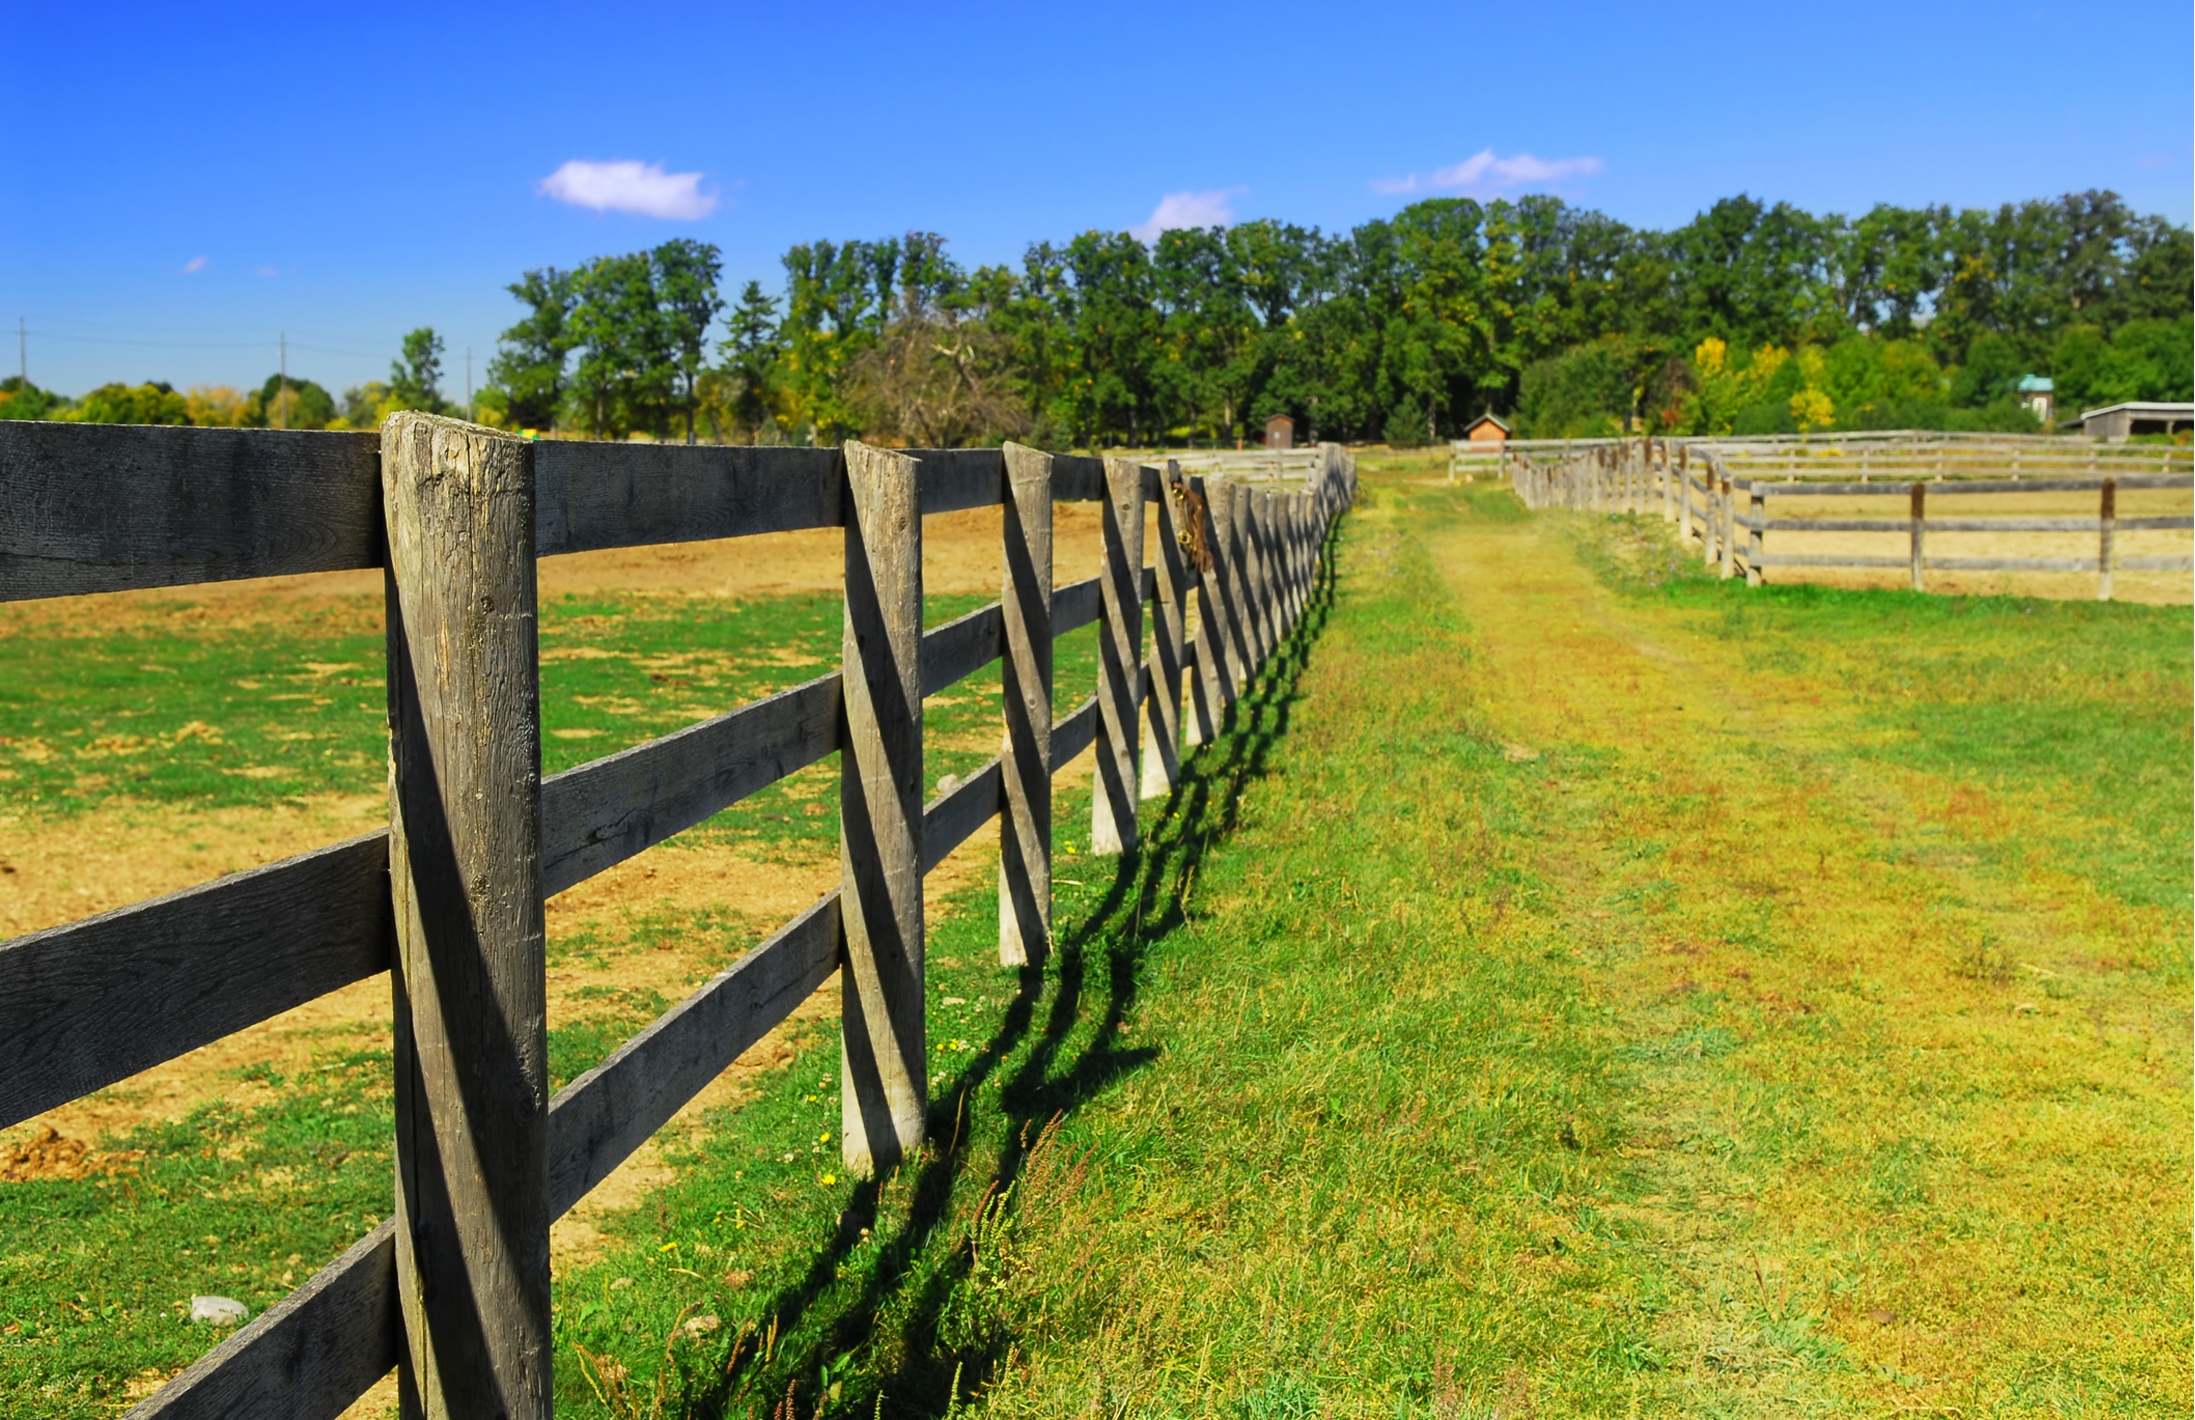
(1575, 987)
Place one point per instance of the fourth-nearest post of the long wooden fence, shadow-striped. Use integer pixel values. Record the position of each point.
(1121, 660)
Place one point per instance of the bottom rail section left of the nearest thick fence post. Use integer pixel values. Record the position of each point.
(308, 1357)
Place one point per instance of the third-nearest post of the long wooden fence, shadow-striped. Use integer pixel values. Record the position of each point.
(1026, 697)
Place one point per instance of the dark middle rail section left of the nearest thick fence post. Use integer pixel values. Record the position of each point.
(95, 1002)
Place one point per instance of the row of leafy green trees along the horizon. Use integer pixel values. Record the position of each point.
(1748, 319)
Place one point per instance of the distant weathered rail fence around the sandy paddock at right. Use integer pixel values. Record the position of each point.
(1698, 486)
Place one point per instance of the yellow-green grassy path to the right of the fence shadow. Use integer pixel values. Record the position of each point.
(1641, 998)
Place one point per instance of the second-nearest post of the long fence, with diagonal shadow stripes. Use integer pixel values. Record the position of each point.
(883, 1035)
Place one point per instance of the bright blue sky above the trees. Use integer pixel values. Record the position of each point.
(185, 185)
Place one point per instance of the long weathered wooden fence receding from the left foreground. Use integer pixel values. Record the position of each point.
(453, 1292)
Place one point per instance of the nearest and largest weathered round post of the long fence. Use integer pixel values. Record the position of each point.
(466, 881)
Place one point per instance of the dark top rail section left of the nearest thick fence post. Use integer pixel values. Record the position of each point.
(102, 508)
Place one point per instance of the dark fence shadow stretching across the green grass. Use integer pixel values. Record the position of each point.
(1096, 965)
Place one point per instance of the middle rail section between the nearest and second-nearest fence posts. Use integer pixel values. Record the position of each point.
(603, 813)
